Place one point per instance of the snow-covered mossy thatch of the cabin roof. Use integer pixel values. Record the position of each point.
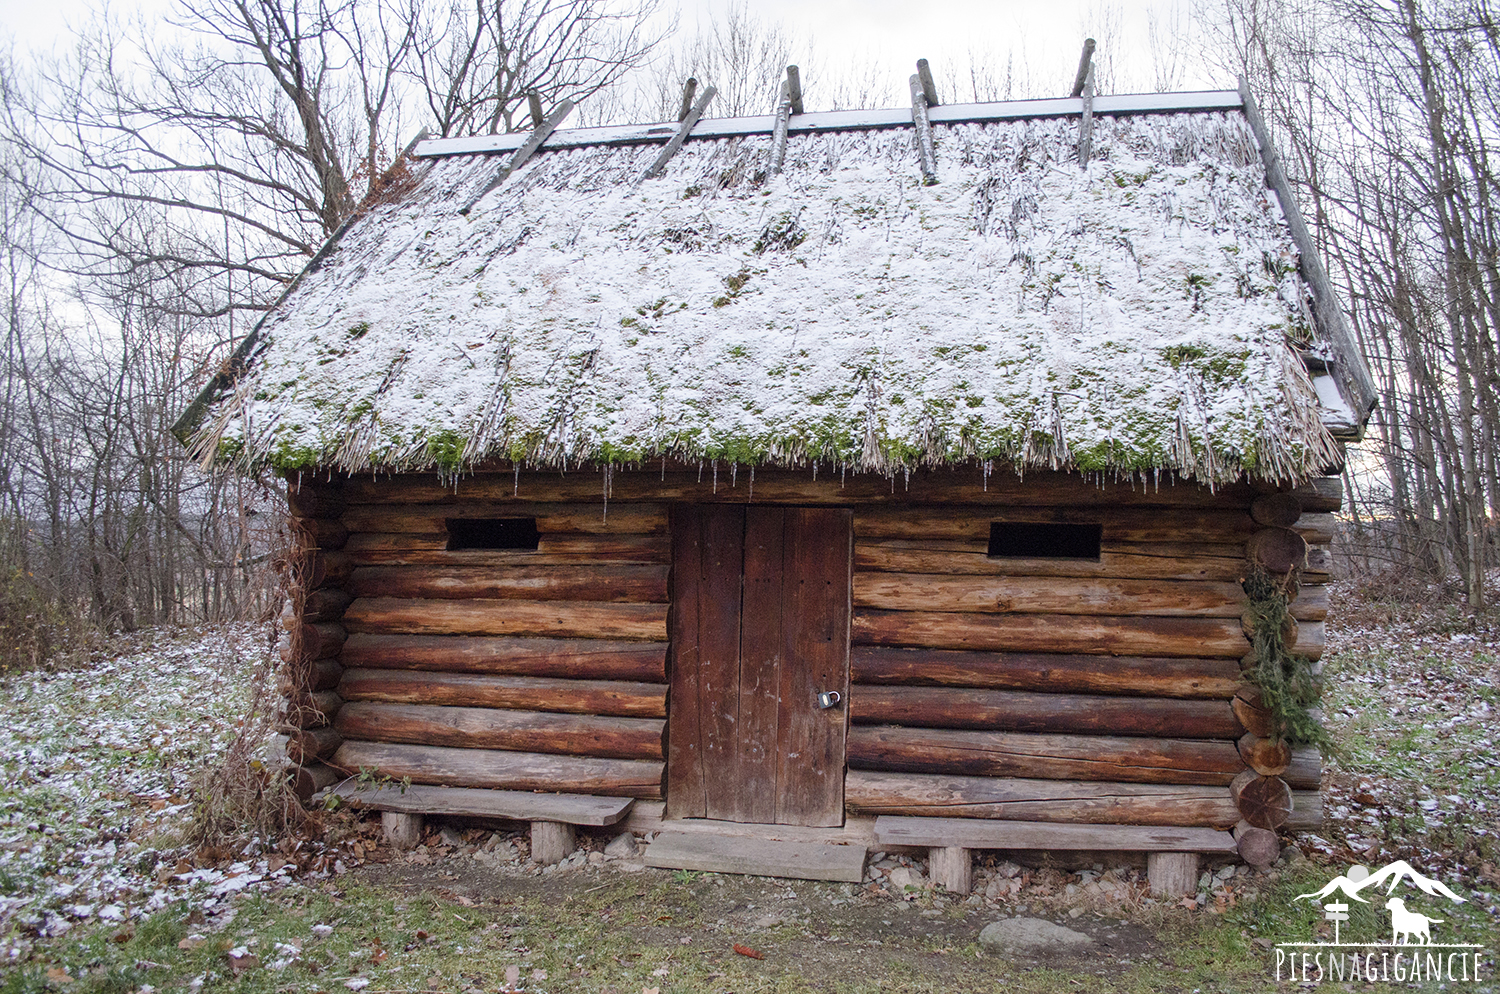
(1136, 316)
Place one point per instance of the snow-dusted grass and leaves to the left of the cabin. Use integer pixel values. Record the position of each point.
(95, 774)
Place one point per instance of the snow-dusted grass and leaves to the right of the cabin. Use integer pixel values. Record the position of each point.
(1412, 701)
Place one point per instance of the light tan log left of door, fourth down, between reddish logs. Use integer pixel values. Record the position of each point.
(578, 620)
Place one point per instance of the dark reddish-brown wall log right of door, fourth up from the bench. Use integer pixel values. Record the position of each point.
(1154, 677)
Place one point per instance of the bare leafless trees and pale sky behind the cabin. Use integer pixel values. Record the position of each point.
(166, 176)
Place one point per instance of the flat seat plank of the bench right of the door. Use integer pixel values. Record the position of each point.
(893, 830)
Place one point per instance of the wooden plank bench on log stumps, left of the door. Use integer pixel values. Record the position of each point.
(553, 816)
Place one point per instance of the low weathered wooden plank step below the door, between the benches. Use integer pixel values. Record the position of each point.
(760, 857)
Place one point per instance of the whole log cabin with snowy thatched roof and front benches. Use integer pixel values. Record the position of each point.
(811, 484)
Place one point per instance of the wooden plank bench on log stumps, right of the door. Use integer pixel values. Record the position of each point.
(1172, 854)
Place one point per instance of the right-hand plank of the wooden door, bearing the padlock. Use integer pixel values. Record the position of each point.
(815, 605)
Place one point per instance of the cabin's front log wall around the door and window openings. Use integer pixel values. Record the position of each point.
(1072, 690)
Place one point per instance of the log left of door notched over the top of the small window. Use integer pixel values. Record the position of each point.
(598, 518)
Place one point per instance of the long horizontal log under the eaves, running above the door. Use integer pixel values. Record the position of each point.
(968, 485)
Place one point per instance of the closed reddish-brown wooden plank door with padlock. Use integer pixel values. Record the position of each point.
(760, 627)
